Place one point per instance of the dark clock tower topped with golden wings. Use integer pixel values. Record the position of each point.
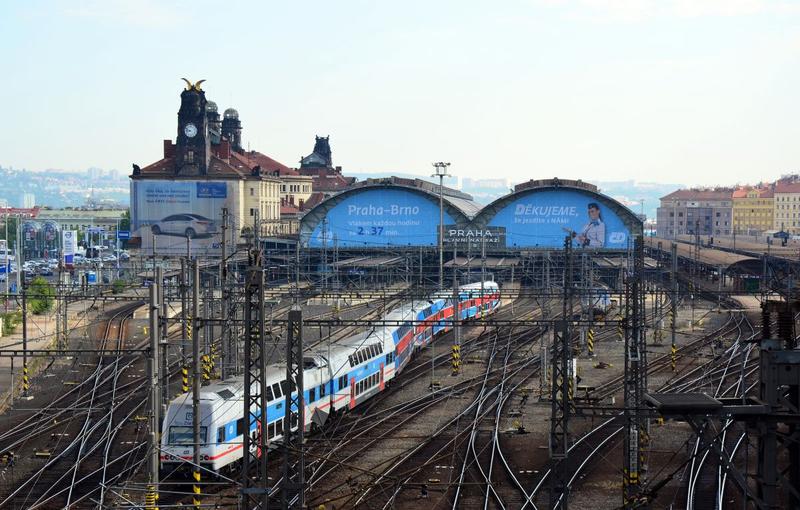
(193, 145)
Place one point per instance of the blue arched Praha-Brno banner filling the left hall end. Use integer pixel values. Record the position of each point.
(380, 217)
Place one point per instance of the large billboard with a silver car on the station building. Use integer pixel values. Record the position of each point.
(172, 217)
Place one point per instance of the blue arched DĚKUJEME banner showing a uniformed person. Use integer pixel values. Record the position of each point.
(542, 218)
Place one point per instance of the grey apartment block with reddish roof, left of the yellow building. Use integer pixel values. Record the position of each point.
(706, 211)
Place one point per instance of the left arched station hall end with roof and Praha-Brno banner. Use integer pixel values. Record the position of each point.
(372, 200)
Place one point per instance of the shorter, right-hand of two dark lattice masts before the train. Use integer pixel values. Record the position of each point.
(294, 478)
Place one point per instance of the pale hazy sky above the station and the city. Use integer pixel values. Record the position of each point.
(700, 92)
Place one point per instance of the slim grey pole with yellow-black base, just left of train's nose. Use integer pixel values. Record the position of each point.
(155, 400)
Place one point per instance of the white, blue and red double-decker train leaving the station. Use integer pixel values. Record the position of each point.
(337, 378)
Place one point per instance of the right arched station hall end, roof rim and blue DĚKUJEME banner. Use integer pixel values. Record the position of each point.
(538, 214)
